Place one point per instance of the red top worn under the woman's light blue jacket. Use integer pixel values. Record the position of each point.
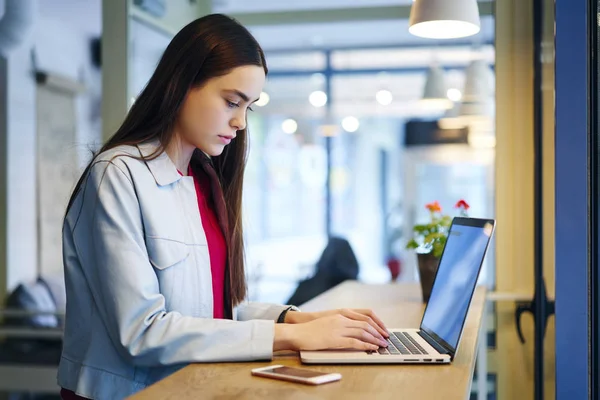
(217, 247)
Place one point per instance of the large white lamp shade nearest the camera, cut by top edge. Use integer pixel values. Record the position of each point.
(444, 19)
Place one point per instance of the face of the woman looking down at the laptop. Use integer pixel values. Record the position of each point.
(212, 114)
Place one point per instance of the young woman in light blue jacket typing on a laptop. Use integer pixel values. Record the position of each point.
(152, 237)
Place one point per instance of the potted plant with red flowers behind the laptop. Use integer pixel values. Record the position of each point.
(429, 240)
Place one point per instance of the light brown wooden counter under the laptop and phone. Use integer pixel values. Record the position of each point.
(399, 305)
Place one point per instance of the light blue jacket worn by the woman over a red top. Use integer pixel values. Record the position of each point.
(138, 281)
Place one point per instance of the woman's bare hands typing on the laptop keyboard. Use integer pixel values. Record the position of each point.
(328, 332)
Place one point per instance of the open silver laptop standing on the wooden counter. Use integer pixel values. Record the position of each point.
(437, 339)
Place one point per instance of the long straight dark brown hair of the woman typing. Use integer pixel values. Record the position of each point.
(206, 48)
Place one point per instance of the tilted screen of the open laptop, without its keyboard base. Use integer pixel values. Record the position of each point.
(456, 279)
